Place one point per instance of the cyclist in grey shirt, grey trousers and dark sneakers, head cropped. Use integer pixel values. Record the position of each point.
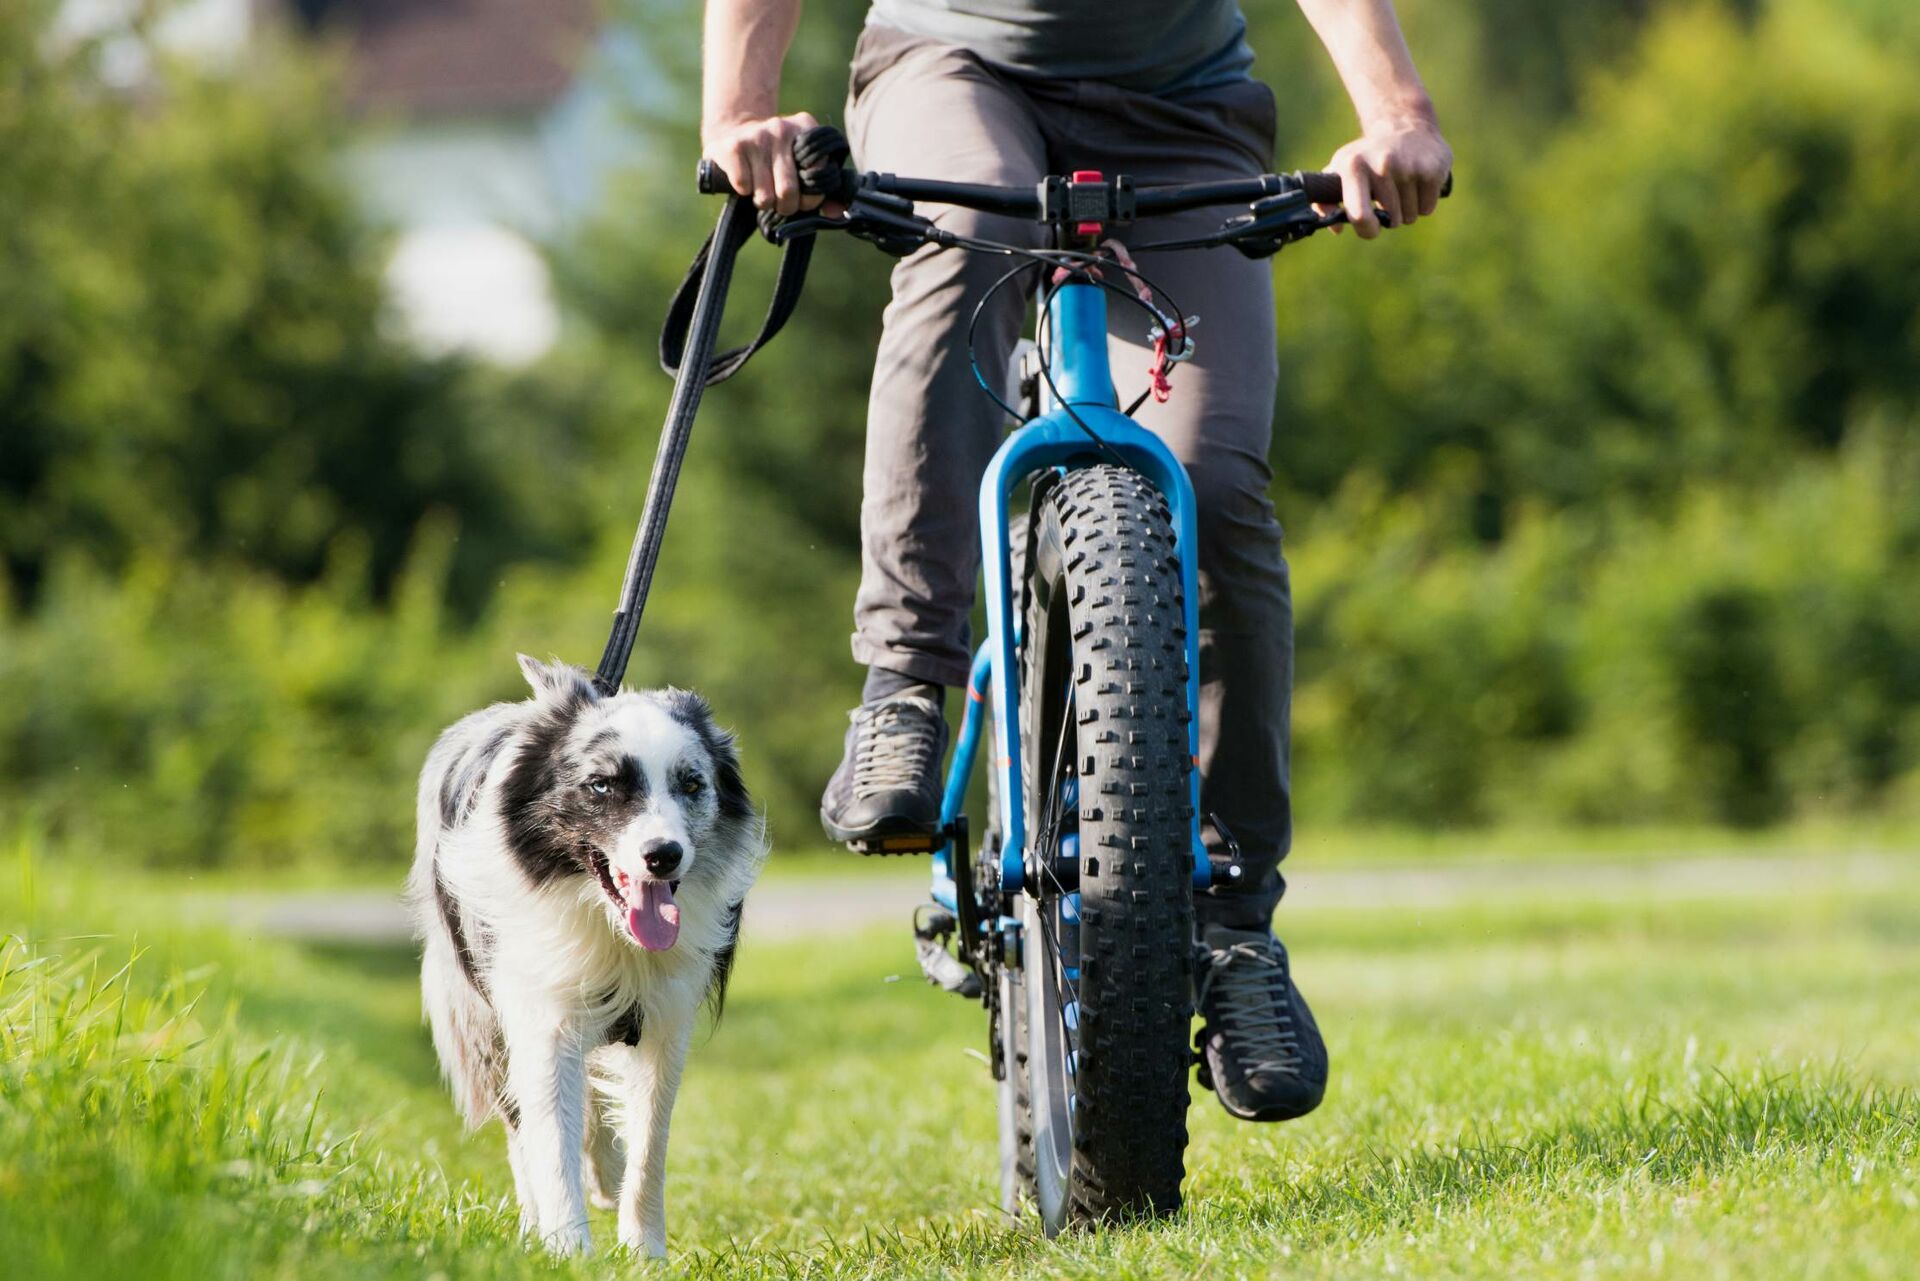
(1005, 91)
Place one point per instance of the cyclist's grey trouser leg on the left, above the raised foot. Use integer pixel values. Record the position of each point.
(934, 110)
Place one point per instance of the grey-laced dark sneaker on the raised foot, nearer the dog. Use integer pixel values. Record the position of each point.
(886, 792)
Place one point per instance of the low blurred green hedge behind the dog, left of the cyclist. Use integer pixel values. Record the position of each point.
(191, 715)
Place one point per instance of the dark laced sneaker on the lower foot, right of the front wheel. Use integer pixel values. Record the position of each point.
(1260, 1050)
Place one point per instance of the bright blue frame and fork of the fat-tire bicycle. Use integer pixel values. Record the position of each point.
(1078, 362)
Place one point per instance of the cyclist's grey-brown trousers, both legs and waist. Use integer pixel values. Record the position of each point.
(936, 110)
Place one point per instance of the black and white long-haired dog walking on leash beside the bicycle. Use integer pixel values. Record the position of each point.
(577, 886)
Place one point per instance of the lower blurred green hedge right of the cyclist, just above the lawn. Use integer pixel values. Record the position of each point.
(1750, 658)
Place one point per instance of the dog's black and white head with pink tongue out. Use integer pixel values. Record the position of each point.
(638, 792)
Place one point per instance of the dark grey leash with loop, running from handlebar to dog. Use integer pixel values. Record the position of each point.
(688, 352)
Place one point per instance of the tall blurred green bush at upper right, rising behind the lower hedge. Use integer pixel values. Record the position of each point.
(1712, 270)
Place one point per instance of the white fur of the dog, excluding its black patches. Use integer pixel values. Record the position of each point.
(558, 969)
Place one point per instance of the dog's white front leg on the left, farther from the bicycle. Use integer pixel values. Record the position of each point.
(548, 1078)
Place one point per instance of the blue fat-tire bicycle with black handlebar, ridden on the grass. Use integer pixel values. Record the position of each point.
(1074, 921)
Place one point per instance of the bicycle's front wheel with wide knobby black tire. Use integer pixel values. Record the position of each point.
(1103, 992)
